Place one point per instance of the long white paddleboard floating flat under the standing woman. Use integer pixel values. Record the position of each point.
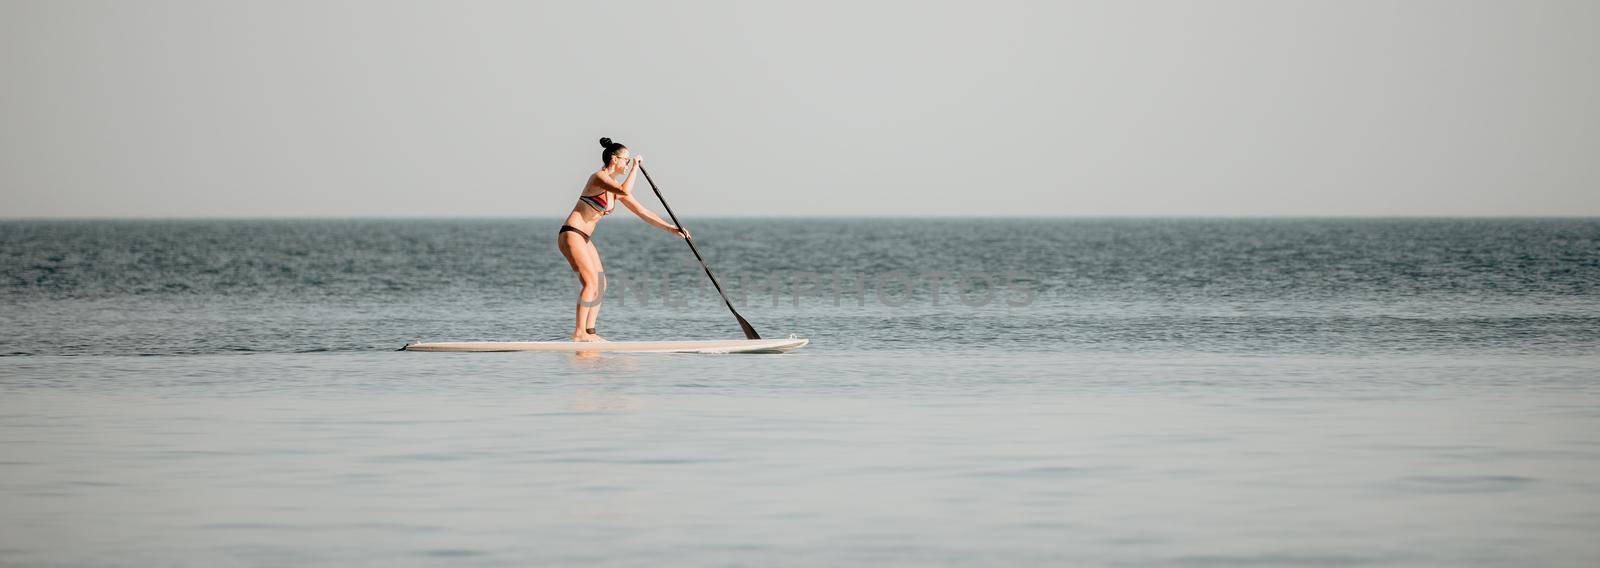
(711, 346)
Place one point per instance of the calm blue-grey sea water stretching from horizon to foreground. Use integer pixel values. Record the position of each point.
(1081, 393)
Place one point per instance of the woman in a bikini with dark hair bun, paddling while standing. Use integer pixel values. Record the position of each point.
(599, 198)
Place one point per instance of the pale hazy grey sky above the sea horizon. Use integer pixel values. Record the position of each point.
(458, 110)
